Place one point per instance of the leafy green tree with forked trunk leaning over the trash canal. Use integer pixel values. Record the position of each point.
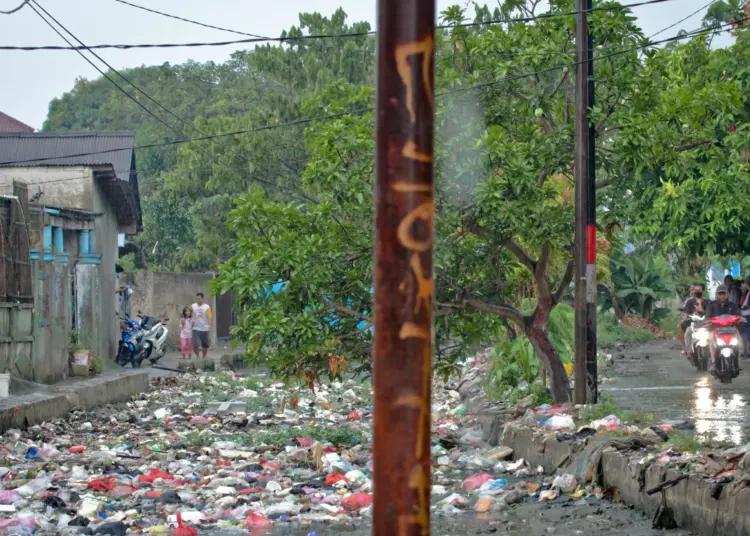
(504, 149)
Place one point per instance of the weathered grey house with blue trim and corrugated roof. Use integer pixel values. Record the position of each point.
(83, 194)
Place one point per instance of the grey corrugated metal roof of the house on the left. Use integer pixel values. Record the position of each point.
(27, 149)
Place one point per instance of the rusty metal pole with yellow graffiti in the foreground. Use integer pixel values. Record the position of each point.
(404, 222)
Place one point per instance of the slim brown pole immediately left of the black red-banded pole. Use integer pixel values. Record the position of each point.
(582, 178)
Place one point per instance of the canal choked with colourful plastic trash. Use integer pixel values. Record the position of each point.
(229, 455)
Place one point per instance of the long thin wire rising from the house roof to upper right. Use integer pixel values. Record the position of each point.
(308, 120)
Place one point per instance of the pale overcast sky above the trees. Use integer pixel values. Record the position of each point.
(30, 80)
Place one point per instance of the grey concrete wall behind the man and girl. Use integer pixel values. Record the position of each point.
(165, 294)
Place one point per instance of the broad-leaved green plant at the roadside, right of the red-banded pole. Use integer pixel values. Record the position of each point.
(639, 282)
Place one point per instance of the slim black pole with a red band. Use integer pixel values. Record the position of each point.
(591, 363)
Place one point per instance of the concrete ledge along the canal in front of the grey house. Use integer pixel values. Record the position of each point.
(21, 411)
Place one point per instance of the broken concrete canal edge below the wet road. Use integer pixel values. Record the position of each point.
(690, 500)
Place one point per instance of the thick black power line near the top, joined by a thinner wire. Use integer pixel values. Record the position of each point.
(544, 16)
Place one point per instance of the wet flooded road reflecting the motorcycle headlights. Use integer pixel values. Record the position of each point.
(654, 379)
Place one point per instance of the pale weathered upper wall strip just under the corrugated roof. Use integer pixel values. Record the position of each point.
(69, 187)
